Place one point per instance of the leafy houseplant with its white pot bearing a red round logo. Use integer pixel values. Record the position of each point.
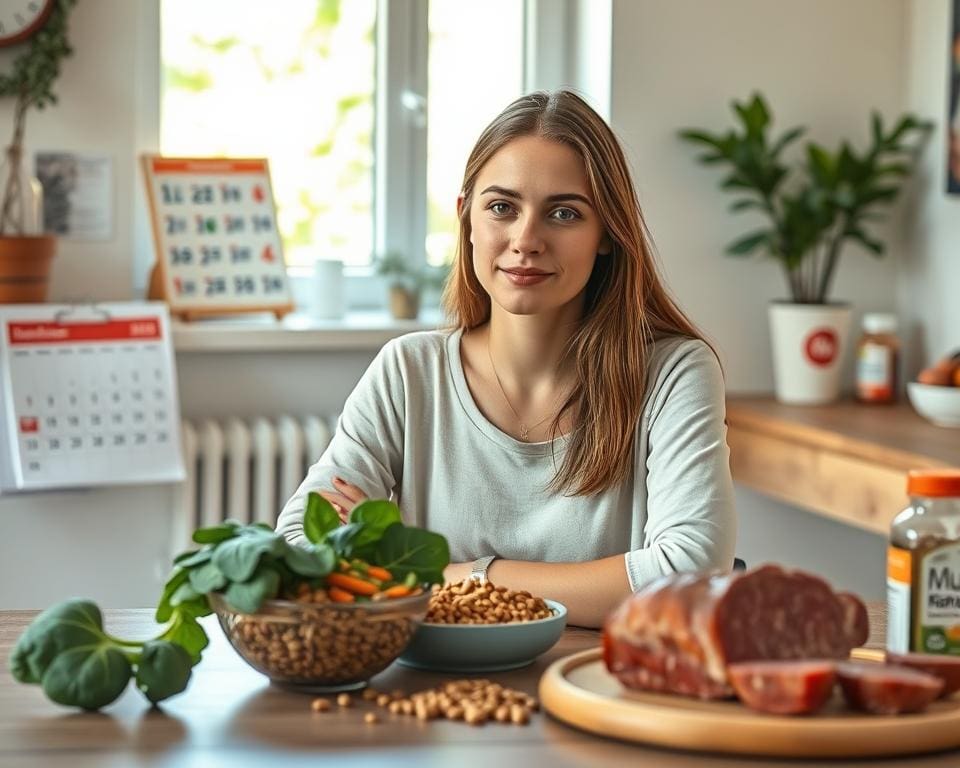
(811, 211)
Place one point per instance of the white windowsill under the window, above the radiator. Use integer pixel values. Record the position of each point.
(297, 332)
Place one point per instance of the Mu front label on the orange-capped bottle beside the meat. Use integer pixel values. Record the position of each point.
(938, 600)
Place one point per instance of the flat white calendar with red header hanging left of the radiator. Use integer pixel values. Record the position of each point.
(88, 396)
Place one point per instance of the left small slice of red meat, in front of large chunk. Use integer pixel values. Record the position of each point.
(783, 687)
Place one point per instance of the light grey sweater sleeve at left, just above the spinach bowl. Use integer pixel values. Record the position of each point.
(367, 447)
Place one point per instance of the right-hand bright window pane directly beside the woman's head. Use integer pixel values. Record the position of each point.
(475, 70)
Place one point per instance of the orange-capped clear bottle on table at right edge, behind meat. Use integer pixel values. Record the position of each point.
(923, 566)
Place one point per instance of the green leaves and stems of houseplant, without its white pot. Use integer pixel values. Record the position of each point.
(813, 208)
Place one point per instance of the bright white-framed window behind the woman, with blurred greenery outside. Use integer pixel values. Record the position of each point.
(333, 93)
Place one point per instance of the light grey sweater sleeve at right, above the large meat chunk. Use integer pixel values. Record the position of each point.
(691, 520)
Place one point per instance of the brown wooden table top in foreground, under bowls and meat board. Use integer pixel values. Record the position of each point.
(231, 716)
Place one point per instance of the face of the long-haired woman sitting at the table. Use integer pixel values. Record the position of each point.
(535, 232)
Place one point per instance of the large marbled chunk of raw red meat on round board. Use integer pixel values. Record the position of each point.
(679, 633)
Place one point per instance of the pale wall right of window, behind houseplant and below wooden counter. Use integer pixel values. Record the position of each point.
(819, 63)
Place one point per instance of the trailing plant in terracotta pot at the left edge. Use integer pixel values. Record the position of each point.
(26, 253)
